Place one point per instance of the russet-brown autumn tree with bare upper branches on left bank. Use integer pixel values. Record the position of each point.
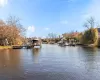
(11, 31)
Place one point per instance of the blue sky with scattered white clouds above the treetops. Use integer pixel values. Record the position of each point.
(41, 17)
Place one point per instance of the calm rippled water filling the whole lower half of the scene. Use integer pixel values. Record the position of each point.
(51, 62)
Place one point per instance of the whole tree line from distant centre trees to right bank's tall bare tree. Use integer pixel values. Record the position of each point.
(89, 36)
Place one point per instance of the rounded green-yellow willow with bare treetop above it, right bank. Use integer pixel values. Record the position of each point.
(90, 36)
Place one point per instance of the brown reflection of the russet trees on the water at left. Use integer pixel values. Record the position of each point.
(10, 63)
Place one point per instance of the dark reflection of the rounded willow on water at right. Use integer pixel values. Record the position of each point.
(89, 56)
